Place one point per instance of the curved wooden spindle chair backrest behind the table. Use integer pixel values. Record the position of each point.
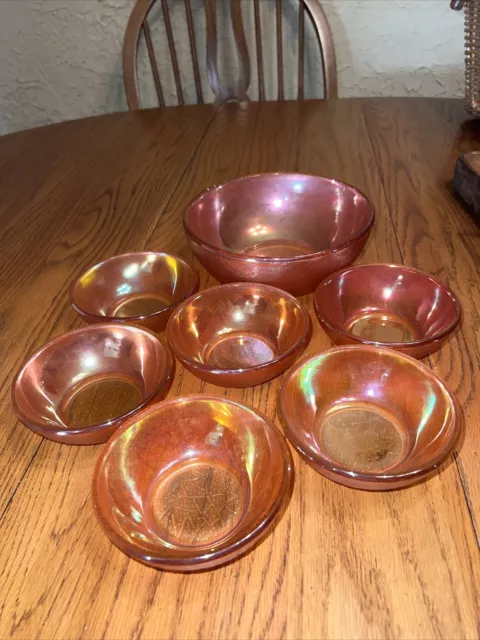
(138, 27)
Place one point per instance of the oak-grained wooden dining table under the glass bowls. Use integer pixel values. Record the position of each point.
(341, 563)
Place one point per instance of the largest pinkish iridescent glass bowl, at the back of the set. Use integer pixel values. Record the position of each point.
(286, 230)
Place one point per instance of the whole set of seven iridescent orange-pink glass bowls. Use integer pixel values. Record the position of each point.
(192, 482)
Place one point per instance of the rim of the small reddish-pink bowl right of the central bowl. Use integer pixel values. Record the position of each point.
(411, 343)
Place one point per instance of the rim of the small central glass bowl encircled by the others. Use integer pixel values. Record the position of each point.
(303, 340)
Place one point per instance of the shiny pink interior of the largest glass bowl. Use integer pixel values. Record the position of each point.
(279, 215)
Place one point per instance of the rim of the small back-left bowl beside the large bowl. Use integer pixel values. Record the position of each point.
(138, 318)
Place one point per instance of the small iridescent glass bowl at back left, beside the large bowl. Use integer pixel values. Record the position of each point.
(137, 288)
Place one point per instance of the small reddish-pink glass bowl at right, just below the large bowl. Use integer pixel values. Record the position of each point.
(387, 305)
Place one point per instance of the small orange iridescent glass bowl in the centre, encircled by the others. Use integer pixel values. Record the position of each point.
(239, 335)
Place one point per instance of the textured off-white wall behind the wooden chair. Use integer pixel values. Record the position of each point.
(61, 59)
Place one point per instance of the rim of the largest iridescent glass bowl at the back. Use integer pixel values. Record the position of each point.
(269, 259)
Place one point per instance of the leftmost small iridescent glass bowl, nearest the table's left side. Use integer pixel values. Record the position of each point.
(80, 387)
